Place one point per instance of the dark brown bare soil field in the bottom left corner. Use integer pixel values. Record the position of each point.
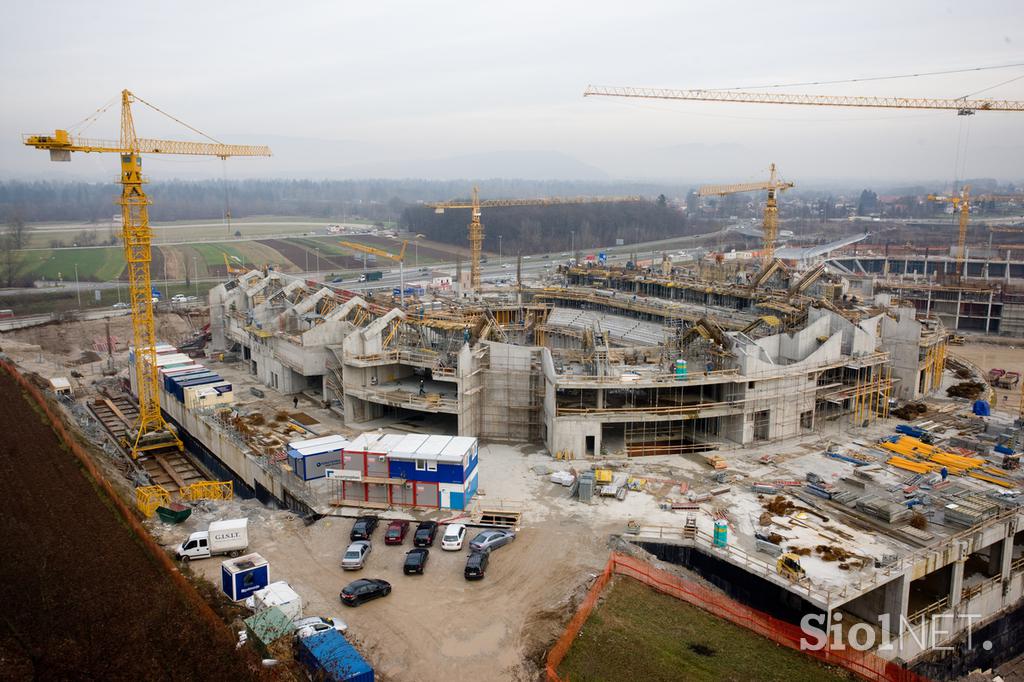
(82, 599)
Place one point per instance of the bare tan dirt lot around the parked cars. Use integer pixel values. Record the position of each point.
(439, 626)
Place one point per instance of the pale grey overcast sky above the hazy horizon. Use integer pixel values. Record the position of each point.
(453, 90)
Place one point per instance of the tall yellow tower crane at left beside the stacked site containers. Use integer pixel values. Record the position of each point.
(152, 433)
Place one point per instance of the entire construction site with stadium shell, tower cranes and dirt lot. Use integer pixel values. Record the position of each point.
(813, 432)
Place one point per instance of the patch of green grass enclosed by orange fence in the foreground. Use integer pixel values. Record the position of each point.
(639, 634)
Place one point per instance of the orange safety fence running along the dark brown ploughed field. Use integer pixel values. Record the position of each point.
(71, 443)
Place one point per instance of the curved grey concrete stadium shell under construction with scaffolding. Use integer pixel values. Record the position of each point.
(658, 365)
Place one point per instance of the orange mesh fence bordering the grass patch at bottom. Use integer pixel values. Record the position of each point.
(864, 664)
